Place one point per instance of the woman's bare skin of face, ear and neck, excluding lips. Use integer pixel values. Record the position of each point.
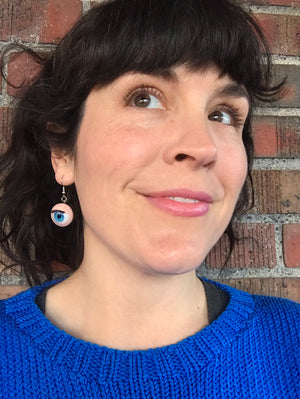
(136, 287)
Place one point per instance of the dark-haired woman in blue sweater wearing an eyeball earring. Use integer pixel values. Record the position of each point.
(140, 123)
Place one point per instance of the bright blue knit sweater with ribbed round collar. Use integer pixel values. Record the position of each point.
(250, 351)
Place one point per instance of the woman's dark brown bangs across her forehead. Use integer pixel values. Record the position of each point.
(150, 36)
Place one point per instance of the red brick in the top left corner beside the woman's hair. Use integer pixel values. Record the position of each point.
(44, 21)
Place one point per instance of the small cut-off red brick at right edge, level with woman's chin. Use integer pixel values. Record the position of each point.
(291, 245)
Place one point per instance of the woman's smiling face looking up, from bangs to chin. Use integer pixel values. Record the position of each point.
(158, 166)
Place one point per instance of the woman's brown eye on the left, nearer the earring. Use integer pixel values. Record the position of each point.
(144, 98)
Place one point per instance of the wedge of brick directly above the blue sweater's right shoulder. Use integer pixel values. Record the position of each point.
(281, 287)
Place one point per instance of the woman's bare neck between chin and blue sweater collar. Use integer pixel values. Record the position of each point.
(126, 309)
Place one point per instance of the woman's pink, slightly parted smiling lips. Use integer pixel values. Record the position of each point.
(182, 202)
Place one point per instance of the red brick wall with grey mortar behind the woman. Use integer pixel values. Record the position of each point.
(267, 259)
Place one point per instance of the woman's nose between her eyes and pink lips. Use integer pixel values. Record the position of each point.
(191, 141)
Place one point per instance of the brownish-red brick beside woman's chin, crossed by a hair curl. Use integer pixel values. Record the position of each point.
(255, 249)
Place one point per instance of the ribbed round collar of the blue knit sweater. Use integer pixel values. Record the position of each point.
(102, 363)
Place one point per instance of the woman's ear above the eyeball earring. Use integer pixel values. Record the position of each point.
(63, 166)
